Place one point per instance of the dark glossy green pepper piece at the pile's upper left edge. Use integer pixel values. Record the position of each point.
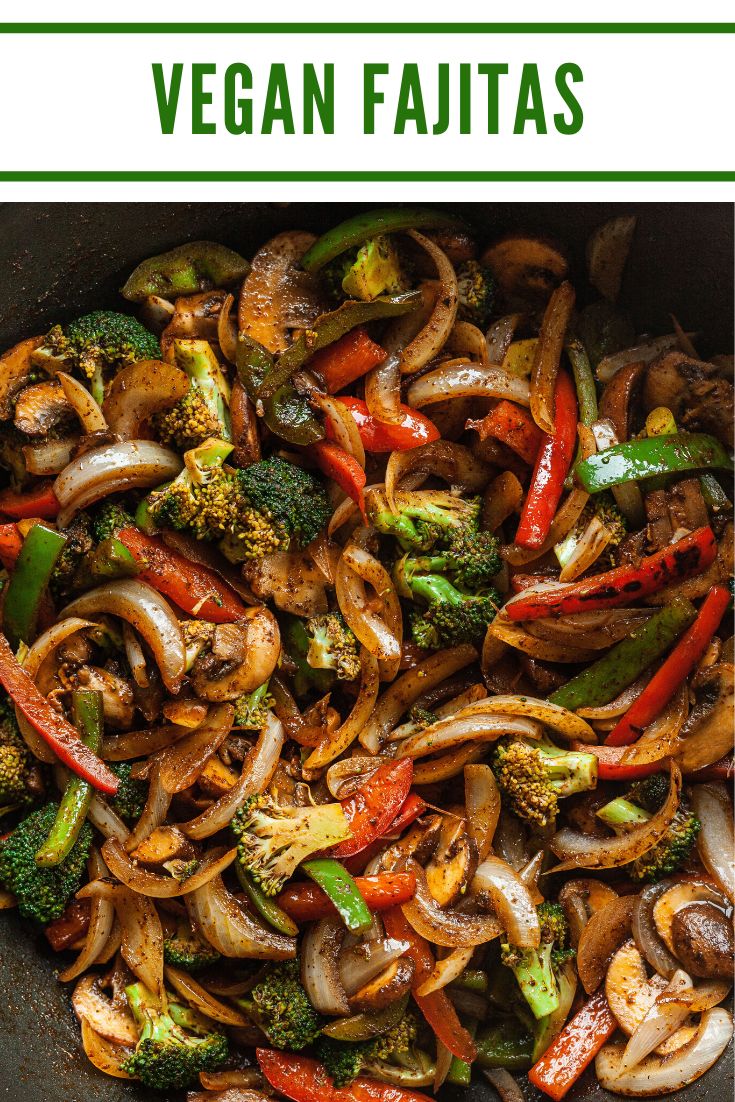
(199, 266)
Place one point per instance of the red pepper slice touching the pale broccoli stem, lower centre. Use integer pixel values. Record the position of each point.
(374, 806)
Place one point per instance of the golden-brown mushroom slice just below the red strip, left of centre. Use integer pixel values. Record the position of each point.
(242, 660)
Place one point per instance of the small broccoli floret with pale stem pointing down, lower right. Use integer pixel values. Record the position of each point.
(536, 969)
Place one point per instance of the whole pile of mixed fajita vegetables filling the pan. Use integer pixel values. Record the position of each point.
(367, 669)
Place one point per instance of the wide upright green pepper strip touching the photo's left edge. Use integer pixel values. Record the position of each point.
(29, 581)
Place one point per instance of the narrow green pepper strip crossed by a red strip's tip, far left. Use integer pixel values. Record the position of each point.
(89, 718)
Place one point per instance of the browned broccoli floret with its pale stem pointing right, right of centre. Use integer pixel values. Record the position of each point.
(533, 776)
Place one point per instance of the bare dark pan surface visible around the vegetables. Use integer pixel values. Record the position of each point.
(58, 261)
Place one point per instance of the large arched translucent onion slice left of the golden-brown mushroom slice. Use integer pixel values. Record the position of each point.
(148, 613)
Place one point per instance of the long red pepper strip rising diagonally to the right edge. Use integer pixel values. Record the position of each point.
(675, 671)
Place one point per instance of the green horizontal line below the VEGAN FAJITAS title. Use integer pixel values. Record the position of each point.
(345, 177)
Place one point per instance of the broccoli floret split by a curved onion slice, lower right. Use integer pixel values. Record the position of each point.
(673, 850)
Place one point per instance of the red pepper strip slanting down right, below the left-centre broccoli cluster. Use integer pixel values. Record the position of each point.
(197, 590)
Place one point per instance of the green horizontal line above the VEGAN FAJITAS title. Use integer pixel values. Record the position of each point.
(367, 28)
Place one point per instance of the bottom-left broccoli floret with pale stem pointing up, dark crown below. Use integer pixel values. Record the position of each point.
(168, 1057)
